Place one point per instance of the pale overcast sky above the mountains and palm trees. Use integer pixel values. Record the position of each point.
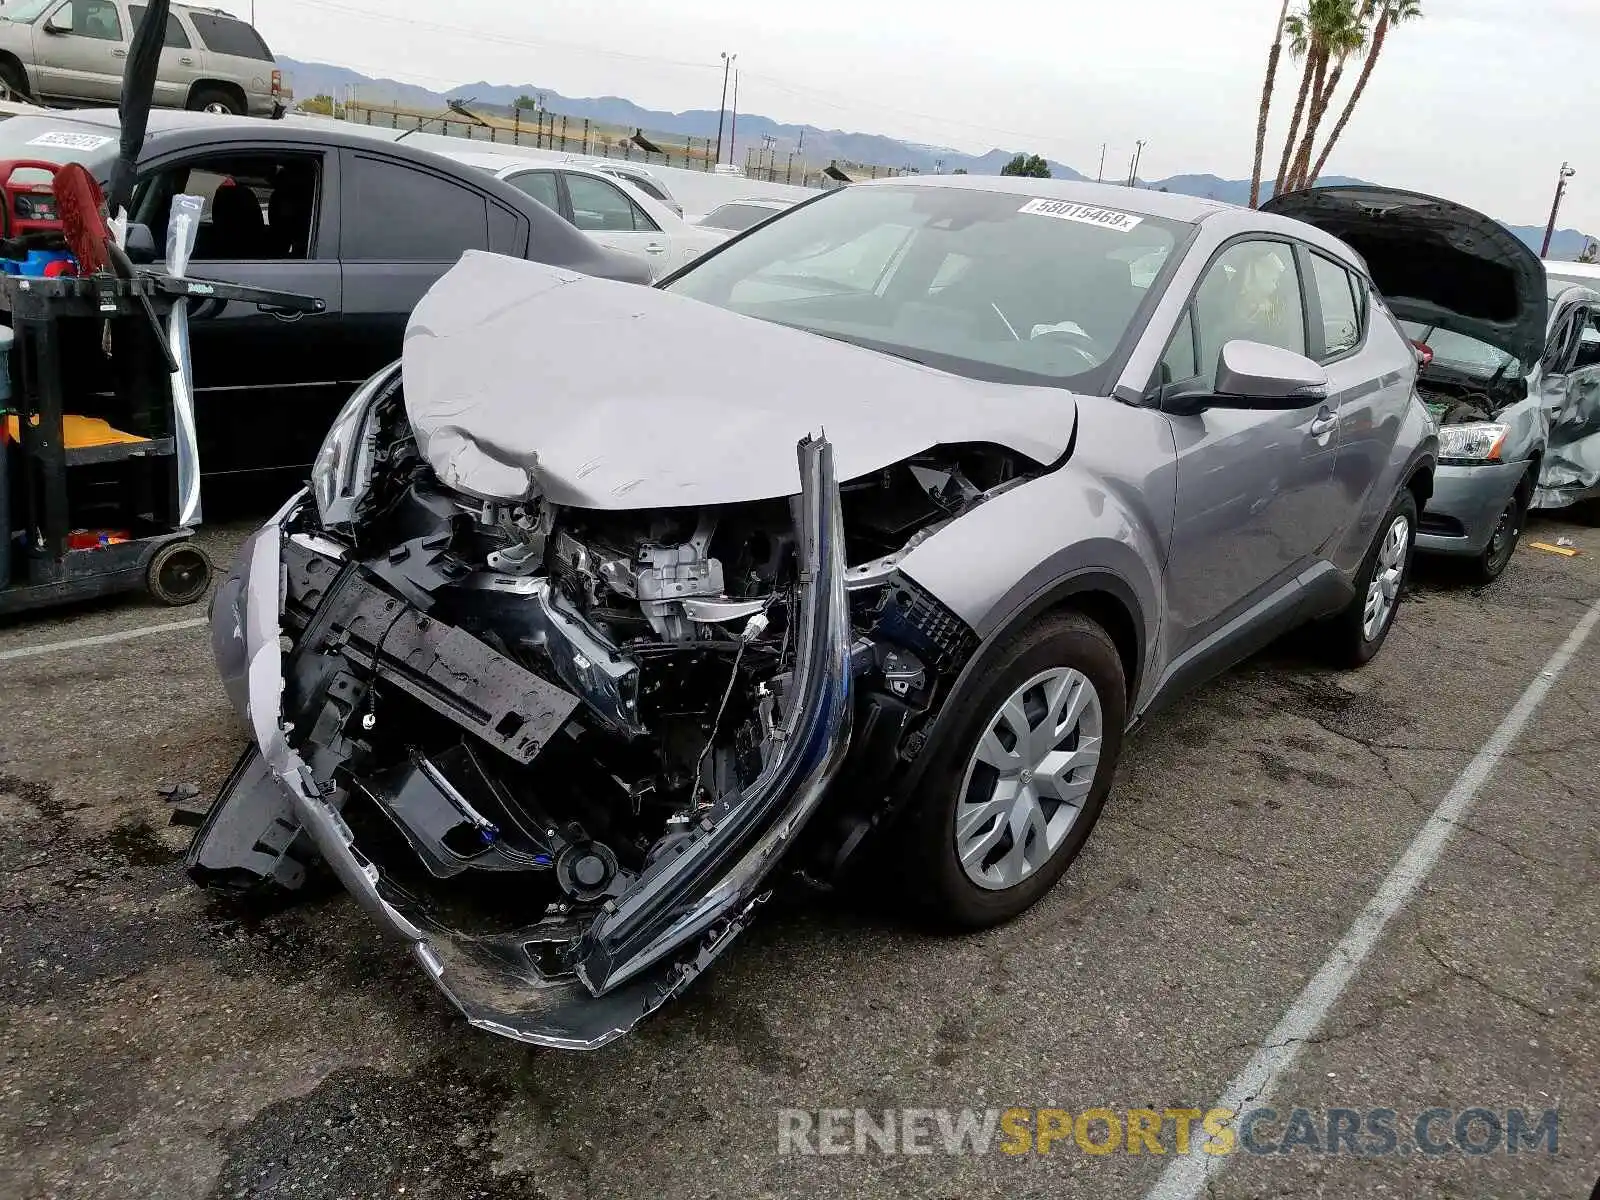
(1481, 102)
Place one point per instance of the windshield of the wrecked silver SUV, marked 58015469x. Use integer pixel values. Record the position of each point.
(993, 286)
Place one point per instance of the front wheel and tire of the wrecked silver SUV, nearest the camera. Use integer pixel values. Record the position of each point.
(1058, 654)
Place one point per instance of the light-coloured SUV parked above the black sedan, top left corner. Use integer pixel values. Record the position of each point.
(76, 52)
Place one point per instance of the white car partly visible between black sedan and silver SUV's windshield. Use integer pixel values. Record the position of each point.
(612, 212)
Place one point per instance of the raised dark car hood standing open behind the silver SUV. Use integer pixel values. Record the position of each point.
(1436, 262)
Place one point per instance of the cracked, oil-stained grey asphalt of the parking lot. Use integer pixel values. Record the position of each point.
(158, 1042)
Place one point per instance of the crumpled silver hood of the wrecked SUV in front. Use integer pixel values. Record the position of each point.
(524, 378)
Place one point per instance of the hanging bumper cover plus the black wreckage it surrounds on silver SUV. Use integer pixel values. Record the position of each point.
(430, 706)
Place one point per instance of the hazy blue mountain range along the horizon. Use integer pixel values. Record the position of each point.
(814, 143)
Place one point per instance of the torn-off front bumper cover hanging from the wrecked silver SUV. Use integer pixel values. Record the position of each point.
(553, 983)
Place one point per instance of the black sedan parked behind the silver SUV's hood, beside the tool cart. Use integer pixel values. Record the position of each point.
(305, 207)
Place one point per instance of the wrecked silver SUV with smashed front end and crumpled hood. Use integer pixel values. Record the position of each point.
(874, 530)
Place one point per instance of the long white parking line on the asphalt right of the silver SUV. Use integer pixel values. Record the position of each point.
(1186, 1178)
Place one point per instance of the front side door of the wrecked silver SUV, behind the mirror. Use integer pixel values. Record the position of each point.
(1254, 486)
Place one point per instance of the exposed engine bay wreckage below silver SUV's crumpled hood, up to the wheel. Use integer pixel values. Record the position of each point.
(561, 750)
